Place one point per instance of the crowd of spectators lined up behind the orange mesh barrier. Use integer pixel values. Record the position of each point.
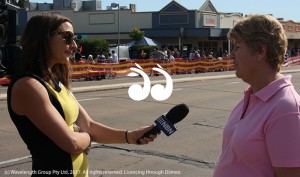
(164, 54)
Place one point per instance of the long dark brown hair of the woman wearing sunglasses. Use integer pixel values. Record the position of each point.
(36, 49)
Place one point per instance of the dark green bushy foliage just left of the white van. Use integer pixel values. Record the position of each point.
(93, 47)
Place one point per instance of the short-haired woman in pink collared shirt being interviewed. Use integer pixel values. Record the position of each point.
(262, 135)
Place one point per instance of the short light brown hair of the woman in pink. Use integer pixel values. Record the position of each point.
(262, 30)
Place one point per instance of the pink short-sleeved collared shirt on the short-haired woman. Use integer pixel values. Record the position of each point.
(266, 136)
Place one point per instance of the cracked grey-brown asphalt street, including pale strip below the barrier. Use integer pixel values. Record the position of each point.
(192, 151)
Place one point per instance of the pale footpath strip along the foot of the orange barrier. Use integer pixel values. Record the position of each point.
(80, 86)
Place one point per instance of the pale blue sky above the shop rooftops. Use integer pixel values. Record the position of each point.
(287, 9)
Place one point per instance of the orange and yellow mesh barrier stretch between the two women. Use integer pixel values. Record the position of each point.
(87, 69)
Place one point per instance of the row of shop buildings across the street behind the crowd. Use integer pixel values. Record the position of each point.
(174, 25)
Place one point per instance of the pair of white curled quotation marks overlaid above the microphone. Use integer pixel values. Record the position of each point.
(158, 91)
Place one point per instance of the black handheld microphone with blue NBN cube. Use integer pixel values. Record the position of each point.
(166, 122)
